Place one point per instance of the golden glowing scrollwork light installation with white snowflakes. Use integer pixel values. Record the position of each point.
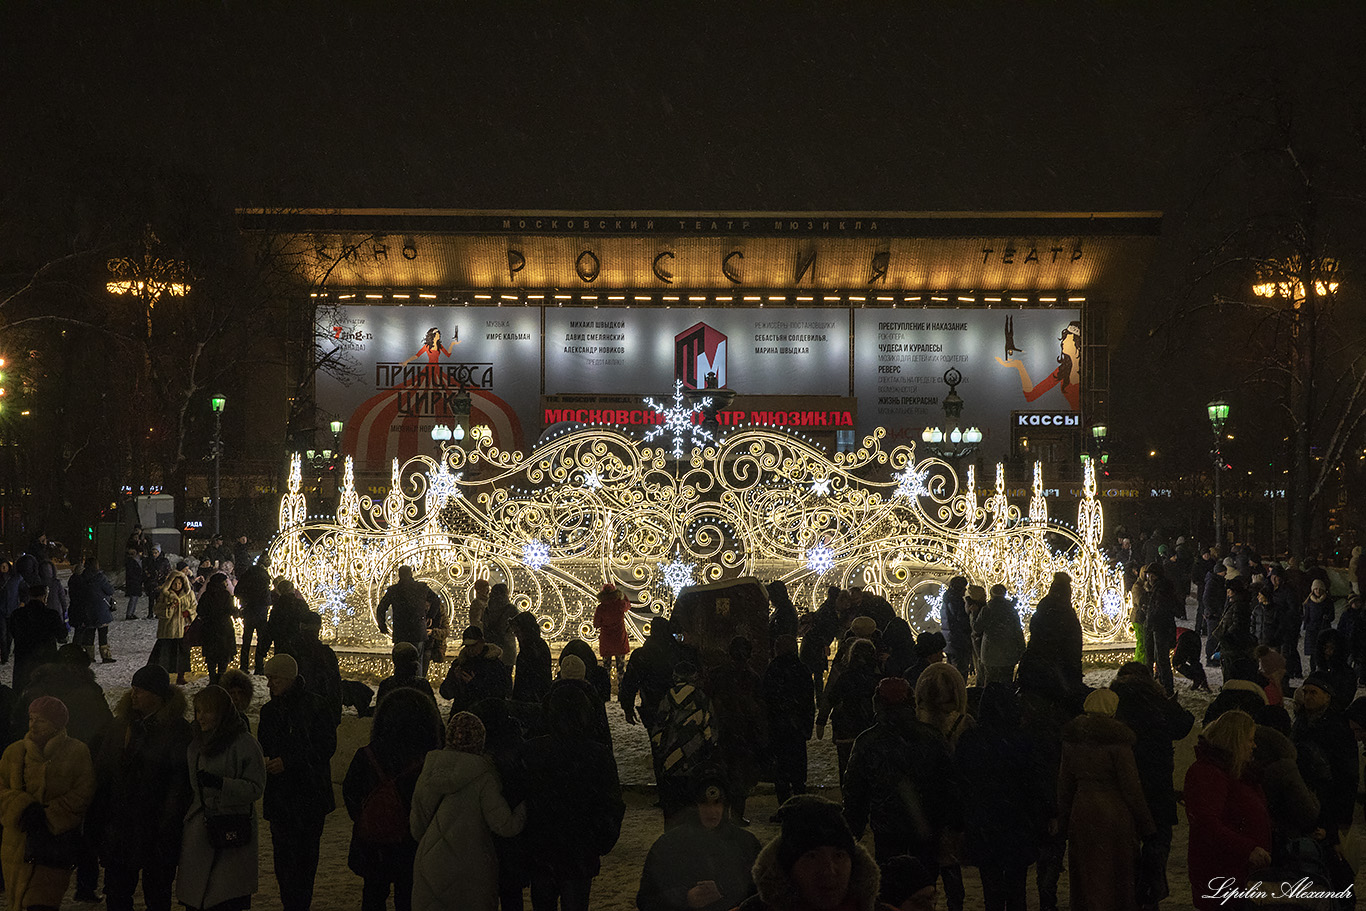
(594, 505)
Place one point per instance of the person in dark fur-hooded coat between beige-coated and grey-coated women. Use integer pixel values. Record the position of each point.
(143, 791)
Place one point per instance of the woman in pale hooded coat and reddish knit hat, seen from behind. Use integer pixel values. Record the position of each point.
(458, 808)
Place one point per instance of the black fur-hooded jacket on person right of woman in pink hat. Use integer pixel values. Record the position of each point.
(143, 785)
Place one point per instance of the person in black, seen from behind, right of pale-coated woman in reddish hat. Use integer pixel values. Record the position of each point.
(572, 787)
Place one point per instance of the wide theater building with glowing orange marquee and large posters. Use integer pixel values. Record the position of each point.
(831, 324)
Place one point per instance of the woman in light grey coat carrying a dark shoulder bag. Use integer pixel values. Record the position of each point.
(227, 776)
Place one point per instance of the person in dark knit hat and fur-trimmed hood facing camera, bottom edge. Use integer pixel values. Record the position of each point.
(815, 864)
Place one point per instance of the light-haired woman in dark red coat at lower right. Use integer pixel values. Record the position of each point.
(1230, 828)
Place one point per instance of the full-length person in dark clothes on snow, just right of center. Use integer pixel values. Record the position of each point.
(790, 710)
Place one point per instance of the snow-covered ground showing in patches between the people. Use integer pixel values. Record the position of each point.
(615, 888)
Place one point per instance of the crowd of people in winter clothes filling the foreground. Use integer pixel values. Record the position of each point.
(968, 748)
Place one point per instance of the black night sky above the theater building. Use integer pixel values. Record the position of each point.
(630, 106)
